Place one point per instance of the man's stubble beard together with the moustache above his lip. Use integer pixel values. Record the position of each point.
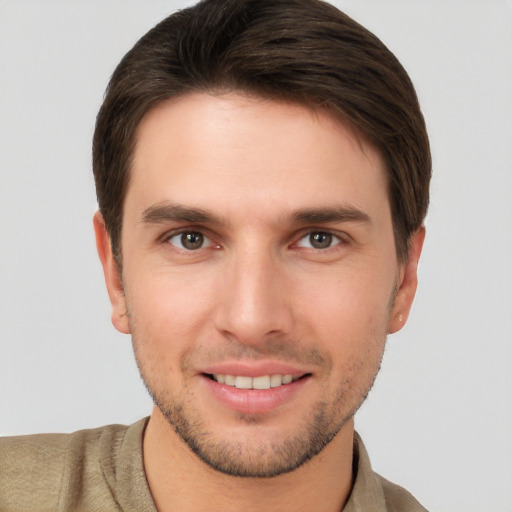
(244, 459)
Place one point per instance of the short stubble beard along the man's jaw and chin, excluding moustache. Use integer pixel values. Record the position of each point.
(246, 458)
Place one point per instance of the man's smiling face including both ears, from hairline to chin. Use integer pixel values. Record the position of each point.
(260, 277)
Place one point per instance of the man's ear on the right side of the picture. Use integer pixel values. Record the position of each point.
(407, 283)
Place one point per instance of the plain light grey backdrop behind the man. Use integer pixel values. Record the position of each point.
(439, 420)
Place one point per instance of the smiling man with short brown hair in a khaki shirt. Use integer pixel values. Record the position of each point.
(262, 174)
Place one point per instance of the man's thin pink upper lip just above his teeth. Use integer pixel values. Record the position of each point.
(253, 368)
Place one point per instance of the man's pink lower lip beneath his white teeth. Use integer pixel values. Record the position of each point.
(254, 401)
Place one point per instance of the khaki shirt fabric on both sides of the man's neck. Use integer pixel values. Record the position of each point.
(102, 470)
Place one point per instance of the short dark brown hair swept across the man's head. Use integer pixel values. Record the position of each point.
(304, 51)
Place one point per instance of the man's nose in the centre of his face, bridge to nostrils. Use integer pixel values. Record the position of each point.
(255, 303)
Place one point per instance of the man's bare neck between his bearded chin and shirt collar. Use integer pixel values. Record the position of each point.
(179, 480)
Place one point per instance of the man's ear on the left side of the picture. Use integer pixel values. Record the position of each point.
(112, 277)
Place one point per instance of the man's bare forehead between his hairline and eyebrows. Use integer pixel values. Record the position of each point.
(204, 149)
